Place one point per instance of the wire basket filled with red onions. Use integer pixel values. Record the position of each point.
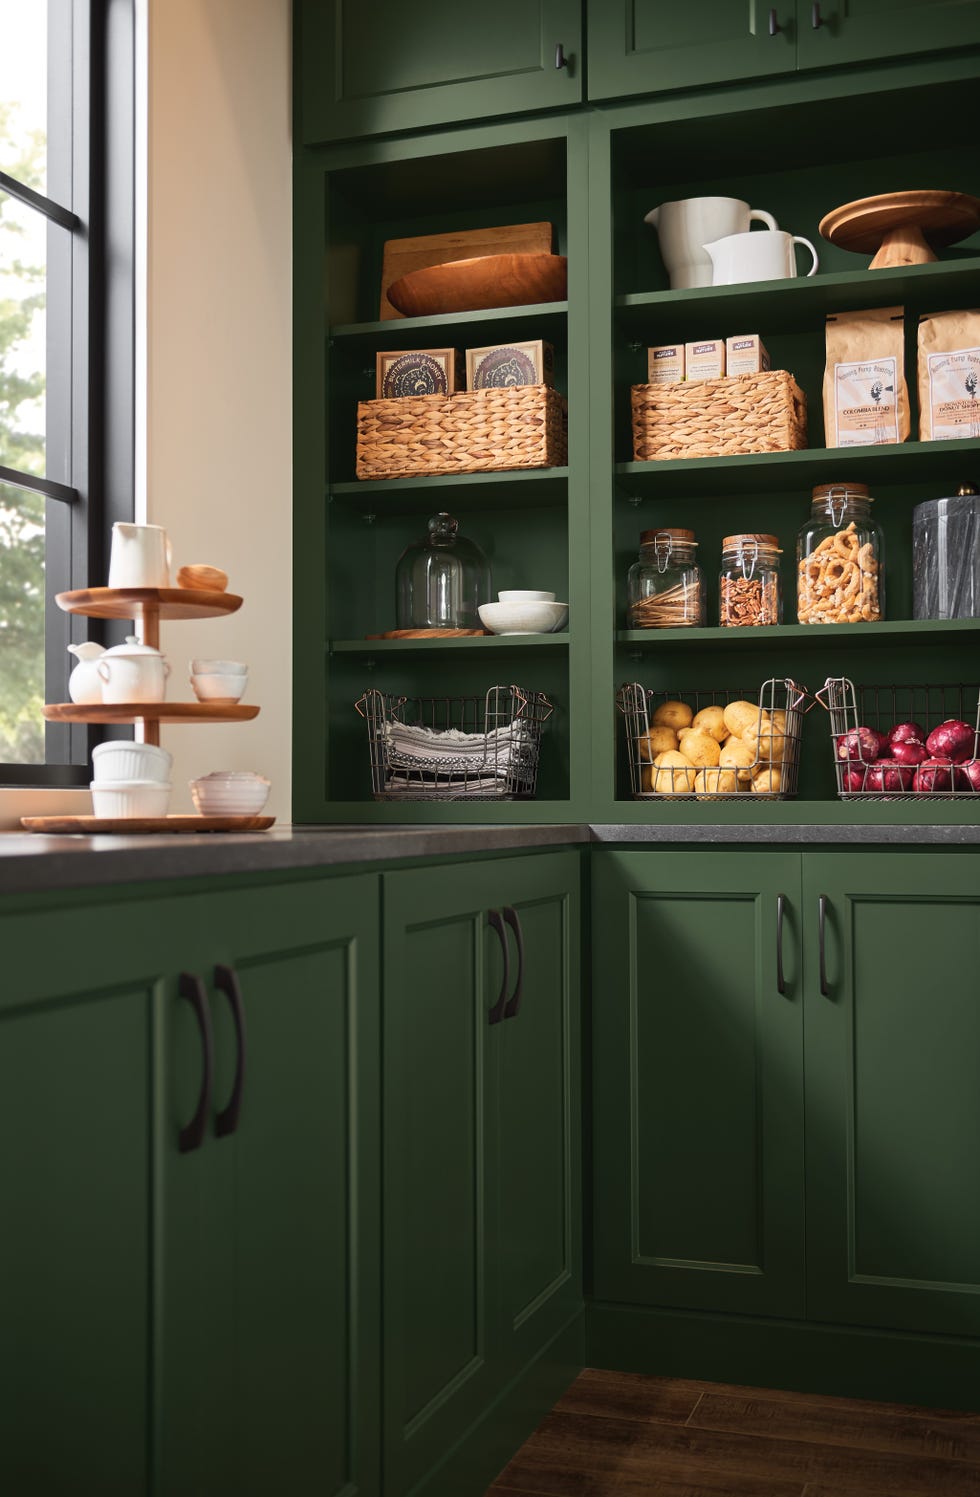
(861, 710)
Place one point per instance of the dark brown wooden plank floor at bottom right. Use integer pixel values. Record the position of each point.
(622, 1436)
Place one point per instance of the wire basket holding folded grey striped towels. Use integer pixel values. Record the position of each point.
(456, 748)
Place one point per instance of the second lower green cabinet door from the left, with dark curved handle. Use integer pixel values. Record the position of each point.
(290, 1246)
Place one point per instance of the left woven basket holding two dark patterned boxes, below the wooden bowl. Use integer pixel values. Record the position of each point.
(477, 432)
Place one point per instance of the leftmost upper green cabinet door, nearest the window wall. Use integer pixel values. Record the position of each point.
(369, 70)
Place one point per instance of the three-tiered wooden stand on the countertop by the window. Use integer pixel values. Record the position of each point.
(147, 607)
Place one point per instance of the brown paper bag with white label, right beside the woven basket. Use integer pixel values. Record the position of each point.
(866, 397)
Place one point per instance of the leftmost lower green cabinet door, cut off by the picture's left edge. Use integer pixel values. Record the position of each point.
(85, 1094)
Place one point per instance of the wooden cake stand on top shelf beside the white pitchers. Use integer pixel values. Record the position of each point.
(903, 228)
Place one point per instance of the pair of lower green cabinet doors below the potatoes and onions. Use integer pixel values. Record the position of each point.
(702, 1082)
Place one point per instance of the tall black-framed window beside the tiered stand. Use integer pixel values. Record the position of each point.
(67, 351)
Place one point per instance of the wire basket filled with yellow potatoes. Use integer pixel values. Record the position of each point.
(762, 754)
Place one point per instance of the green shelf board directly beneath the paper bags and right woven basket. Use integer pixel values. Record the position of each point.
(897, 463)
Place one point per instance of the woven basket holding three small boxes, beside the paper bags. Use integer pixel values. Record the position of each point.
(719, 418)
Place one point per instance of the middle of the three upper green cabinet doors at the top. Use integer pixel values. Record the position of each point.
(640, 47)
